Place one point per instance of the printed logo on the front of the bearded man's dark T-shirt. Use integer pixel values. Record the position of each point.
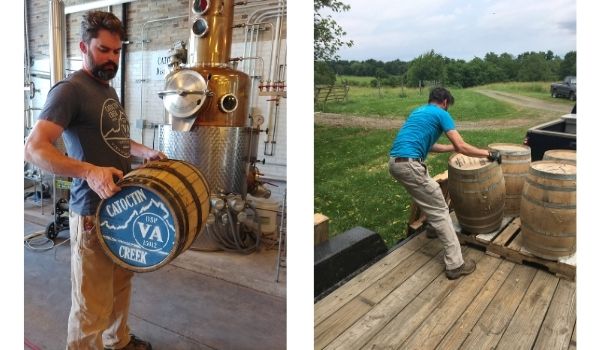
(115, 127)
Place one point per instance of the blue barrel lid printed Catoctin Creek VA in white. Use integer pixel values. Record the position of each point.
(136, 228)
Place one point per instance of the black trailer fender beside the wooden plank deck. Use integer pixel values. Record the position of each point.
(344, 254)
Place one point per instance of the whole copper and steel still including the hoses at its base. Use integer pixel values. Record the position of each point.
(207, 101)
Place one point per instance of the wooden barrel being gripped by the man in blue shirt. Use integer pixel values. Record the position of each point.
(476, 188)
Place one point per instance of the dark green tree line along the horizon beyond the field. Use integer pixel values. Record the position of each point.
(432, 66)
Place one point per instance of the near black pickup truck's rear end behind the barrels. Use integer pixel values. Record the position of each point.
(556, 134)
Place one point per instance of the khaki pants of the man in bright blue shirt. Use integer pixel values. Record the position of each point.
(429, 197)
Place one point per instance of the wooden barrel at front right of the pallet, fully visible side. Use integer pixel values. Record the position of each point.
(548, 217)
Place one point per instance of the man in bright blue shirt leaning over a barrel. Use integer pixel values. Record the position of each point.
(416, 138)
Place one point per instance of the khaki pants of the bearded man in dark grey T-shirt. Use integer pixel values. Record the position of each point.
(100, 292)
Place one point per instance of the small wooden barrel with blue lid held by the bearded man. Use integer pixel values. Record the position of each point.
(158, 213)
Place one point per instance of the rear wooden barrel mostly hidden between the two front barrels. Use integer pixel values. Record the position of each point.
(515, 165)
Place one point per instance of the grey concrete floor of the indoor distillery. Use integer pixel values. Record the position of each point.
(201, 300)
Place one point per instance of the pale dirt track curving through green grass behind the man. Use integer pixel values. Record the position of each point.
(548, 110)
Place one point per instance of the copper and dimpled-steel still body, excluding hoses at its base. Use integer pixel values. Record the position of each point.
(208, 103)
